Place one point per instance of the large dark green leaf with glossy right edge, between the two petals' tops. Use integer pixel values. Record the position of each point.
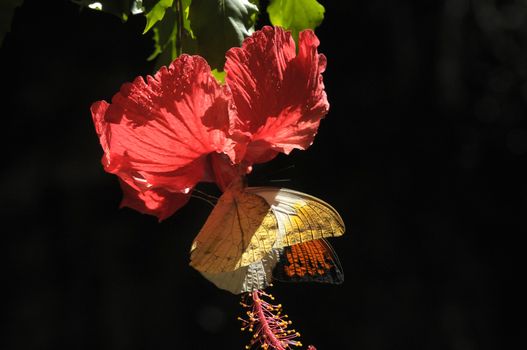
(219, 25)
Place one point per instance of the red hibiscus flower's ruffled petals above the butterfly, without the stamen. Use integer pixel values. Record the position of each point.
(163, 136)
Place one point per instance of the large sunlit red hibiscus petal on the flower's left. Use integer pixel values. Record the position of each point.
(156, 135)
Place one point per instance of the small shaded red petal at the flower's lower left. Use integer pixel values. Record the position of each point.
(158, 202)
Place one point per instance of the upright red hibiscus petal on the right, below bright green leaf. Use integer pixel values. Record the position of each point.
(279, 95)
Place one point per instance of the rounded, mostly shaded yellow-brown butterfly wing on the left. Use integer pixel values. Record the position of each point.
(240, 231)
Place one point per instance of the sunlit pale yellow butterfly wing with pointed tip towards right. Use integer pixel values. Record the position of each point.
(300, 217)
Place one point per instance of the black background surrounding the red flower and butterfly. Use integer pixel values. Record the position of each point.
(423, 153)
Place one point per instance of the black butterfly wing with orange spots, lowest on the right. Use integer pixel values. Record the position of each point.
(311, 261)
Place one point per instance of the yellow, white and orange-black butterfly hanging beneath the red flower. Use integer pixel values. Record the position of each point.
(255, 235)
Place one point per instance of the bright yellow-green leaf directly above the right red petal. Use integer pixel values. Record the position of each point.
(296, 15)
